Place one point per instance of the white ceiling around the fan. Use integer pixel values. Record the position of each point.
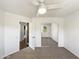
(26, 8)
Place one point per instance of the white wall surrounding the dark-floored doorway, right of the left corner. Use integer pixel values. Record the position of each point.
(12, 32)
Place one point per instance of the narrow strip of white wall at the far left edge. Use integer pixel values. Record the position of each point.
(1, 34)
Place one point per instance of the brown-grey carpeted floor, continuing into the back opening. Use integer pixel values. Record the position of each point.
(49, 50)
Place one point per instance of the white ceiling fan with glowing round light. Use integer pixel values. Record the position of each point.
(42, 7)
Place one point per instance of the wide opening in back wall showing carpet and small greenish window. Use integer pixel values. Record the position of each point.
(49, 33)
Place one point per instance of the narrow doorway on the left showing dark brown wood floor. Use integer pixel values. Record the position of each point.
(24, 35)
